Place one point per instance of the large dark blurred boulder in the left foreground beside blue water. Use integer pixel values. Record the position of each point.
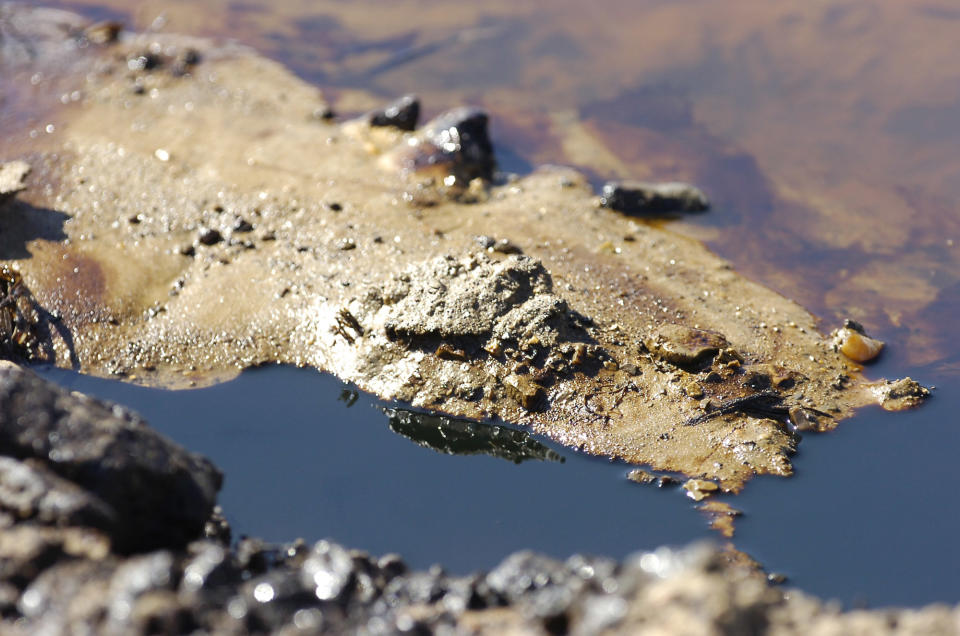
(81, 459)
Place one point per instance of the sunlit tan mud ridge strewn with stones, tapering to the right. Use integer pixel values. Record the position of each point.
(195, 211)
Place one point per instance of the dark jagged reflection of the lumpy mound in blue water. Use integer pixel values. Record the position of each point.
(459, 437)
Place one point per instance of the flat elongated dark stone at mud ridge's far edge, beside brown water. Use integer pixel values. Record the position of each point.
(638, 197)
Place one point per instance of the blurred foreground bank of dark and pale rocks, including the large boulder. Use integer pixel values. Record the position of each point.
(98, 535)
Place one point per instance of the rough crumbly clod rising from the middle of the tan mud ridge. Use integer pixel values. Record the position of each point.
(499, 316)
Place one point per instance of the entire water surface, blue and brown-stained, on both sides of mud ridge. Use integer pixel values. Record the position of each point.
(825, 133)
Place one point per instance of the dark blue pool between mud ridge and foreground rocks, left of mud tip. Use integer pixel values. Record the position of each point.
(301, 461)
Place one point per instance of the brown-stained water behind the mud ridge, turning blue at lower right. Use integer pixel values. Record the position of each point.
(826, 134)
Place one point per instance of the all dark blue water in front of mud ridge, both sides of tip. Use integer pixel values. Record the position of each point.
(867, 519)
